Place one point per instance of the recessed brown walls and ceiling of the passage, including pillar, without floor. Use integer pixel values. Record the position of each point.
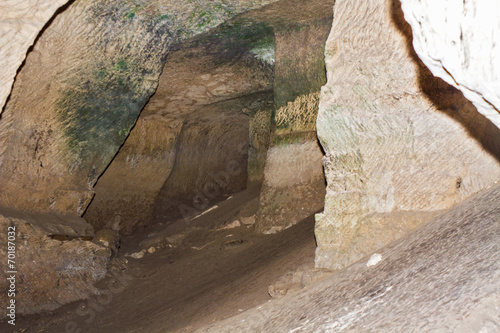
(207, 89)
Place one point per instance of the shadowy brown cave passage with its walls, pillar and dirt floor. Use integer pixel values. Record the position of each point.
(208, 206)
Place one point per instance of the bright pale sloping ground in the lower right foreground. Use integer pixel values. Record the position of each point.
(443, 277)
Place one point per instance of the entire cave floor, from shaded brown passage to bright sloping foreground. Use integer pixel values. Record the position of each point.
(443, 277)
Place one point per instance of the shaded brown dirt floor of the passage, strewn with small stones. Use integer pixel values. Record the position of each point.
(200, 276)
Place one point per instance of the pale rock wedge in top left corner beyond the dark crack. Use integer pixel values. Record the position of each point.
(20, 23)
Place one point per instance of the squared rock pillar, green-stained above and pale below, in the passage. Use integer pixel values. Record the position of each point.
(293, 186)
